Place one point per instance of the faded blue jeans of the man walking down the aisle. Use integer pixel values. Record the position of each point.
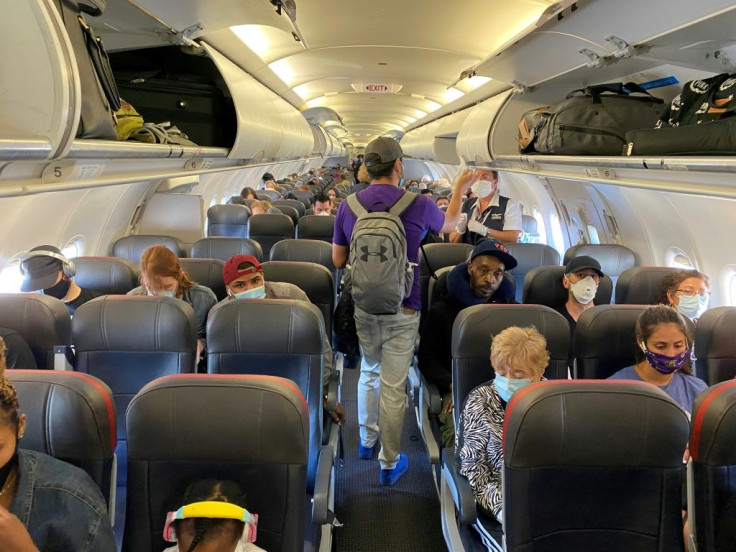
(387, 345)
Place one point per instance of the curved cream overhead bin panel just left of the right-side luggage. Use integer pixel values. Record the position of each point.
(476, 133)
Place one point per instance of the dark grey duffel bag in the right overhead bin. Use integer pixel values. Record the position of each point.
(591, 121)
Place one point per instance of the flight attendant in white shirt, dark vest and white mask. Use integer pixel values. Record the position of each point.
(489, 214)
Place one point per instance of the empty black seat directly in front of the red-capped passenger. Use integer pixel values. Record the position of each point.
(273, 337)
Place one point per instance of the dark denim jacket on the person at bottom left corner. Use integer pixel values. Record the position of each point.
(61, 506)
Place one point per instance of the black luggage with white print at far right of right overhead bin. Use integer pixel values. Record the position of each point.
(701, 120)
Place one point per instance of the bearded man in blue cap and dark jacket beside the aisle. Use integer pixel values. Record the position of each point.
(478, 281)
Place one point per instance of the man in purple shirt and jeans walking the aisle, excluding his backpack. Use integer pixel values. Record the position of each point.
(387, 341)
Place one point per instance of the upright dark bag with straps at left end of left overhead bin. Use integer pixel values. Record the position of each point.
(100, 98)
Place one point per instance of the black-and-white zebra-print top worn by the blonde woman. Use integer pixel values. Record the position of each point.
(481, 455)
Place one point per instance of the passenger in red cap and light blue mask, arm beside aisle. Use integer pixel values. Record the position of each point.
(243, 277)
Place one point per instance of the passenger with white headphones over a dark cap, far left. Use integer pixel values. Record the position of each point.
(44, 268)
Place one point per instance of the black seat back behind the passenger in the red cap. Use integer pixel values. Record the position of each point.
(313, 279)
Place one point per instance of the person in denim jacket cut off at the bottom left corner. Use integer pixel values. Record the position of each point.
(45, 504)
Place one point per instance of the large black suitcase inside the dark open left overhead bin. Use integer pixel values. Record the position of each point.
(168, 85)
